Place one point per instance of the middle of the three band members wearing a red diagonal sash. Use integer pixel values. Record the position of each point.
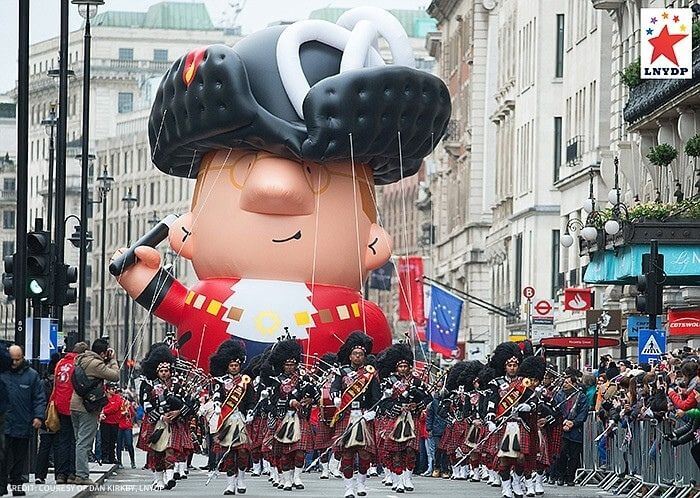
(356, 393)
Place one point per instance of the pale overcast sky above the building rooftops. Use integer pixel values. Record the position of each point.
(45, 14)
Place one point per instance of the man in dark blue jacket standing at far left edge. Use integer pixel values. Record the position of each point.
(24, 415)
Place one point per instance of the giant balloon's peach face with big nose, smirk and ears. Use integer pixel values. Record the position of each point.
(260, 216)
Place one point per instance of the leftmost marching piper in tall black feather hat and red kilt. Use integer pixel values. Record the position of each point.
(164, 436)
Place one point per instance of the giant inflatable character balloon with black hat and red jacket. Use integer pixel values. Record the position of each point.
(286, 135)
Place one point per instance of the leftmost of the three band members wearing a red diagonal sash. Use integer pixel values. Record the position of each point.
(233, 396)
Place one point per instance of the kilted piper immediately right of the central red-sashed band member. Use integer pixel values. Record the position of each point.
(406, 395)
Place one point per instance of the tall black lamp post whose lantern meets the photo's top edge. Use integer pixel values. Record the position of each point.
(87, 10)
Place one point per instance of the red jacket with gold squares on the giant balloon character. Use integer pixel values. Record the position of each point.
(202, 318)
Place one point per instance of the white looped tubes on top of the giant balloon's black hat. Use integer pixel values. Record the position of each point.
(355, 34)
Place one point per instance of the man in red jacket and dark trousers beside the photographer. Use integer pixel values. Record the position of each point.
(63, 390)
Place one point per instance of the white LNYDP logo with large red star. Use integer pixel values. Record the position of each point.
(667, 43)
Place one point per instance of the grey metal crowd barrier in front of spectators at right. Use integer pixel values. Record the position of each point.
(636, 460)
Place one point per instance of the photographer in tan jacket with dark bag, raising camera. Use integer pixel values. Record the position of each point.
(92, 368)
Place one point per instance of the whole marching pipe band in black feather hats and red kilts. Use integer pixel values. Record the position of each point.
(354, 410)
